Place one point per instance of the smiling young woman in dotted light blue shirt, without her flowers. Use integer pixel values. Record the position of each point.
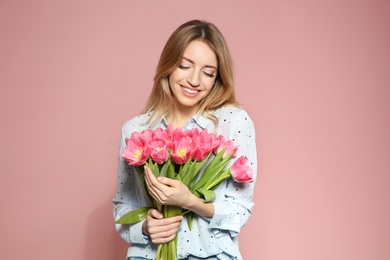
(193, 88)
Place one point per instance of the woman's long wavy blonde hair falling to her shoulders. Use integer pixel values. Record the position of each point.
(160, 101)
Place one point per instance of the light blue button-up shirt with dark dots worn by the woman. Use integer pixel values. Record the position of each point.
(216, 236)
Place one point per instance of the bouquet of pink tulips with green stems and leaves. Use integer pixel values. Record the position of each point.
(182, 155)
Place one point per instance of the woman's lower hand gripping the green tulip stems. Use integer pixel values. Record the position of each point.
(160, 230)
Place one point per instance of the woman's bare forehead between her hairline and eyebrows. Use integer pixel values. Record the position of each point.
(200, 53)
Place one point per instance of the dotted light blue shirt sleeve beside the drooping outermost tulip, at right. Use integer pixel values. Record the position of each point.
(233, 205)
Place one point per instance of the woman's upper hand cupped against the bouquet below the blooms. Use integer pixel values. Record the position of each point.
(167, 191)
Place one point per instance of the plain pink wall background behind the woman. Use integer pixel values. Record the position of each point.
(314, 76)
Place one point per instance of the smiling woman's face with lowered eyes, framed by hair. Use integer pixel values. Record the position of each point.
(194, 78)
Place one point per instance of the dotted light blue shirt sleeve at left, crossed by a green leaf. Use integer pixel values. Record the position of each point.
(129, 196)
